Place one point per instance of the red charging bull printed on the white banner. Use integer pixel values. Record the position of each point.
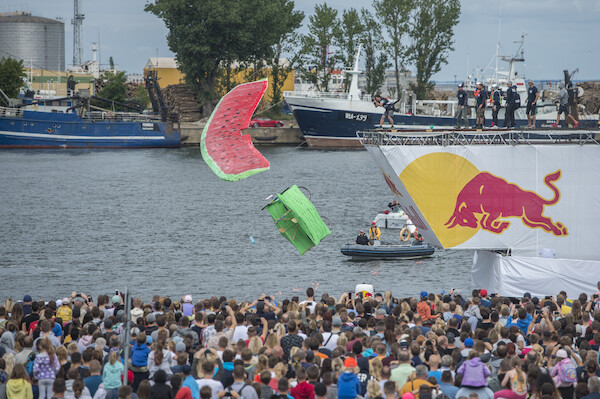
(487, 201)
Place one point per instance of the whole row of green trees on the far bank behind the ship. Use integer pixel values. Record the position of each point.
(216, 39)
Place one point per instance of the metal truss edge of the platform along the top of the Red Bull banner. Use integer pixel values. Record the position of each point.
(460, 138)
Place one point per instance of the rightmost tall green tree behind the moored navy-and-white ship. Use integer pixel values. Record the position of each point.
(431, 30)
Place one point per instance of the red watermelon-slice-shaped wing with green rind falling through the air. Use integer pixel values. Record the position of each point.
(228, 152)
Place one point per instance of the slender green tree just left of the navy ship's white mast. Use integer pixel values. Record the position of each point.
(316, 59)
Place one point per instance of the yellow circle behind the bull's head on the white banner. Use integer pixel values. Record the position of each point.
(434, 182)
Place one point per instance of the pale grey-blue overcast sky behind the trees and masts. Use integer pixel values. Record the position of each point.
(560, 34)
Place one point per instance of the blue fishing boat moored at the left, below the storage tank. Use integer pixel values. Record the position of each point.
(71, 122)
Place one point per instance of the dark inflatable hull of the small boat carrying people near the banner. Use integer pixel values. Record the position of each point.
(388, 251)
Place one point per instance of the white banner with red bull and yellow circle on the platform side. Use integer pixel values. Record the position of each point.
(526, 198)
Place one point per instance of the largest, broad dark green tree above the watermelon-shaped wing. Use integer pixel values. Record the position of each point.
(203, 33)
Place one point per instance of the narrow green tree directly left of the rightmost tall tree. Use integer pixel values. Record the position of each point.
(393, 16)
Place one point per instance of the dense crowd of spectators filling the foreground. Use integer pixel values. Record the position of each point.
(432, 346)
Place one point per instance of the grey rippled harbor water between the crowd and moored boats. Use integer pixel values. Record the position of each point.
(161, 222)
